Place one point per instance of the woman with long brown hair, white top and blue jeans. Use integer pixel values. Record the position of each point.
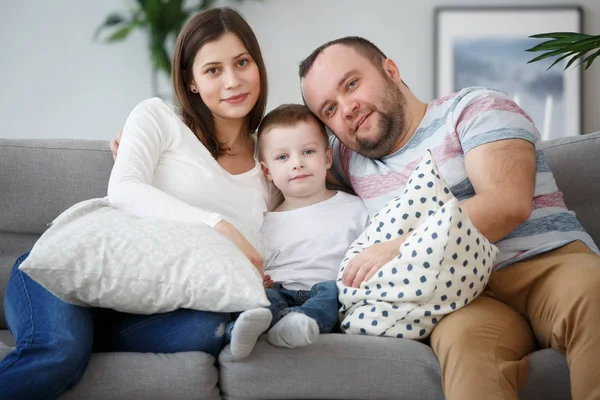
(194, 165)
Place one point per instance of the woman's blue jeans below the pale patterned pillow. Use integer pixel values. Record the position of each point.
(55, 339)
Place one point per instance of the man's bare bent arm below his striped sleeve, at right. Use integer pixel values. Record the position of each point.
(503, 176)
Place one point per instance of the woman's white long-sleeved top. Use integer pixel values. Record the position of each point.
(163, 171)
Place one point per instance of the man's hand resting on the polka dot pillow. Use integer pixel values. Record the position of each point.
(366, 264)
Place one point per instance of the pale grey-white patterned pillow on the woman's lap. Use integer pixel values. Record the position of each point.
(96, 255)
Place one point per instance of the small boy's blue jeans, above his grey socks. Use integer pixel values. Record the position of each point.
(320, 303)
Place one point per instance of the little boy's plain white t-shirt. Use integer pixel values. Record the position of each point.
(313, 240)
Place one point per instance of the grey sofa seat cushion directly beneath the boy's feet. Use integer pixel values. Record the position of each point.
(336, 366)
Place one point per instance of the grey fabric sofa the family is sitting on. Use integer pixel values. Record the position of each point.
(41, 178)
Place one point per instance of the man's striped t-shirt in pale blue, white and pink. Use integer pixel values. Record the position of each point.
(451, 127)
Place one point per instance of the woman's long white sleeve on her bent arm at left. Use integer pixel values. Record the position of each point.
(146, 136)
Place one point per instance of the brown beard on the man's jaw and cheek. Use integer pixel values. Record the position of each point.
(390, 127)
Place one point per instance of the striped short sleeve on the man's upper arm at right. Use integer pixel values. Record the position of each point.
(483, 116)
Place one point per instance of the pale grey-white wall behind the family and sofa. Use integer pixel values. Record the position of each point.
(57, 82)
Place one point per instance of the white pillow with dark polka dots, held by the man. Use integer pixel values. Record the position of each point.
(441, 267)
